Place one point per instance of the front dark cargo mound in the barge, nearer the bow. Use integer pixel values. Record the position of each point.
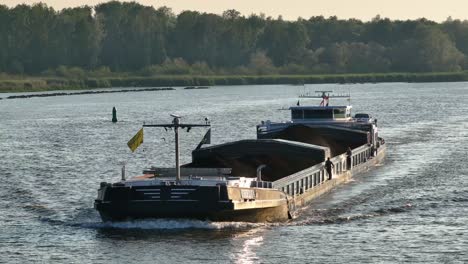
(281, 157)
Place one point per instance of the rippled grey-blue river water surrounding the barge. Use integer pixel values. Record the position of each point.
(54, 152)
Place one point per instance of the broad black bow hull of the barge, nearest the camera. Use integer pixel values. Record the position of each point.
(117, 203)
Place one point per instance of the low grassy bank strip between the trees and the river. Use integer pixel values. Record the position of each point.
(30, 84)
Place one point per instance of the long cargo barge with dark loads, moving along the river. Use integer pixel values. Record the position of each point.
(258, 180)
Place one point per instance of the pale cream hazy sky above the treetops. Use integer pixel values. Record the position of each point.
(437, 10)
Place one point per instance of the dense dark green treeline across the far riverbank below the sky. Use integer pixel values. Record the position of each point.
(129, 37)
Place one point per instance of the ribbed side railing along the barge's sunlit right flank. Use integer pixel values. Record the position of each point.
(313, 177)
